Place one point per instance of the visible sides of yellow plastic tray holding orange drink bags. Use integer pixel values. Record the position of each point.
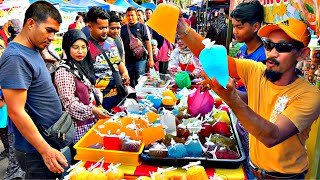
(85, 153)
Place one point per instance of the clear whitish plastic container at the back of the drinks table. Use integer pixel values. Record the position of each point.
(145, 85)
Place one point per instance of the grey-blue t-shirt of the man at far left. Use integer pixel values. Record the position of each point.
(23, 68)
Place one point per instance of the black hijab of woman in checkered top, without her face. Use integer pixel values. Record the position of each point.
(85, 67)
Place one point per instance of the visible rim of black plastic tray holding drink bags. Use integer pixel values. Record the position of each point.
(205, 161)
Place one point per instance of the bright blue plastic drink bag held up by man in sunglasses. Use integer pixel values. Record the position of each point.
(214, 61)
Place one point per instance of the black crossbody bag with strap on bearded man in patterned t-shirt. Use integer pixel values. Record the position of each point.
(121, 89)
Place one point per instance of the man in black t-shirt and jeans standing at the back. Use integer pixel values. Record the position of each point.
(136, 66)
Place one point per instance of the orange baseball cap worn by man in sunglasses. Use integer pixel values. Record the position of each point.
(294, 28)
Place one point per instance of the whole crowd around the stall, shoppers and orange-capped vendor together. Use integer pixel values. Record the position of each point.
(98, 48)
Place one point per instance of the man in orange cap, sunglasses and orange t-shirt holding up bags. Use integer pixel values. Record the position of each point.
(281, 106)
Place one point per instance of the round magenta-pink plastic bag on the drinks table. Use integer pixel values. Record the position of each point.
(200, 103)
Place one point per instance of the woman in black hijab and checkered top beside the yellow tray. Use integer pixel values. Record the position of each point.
(74, 81)
